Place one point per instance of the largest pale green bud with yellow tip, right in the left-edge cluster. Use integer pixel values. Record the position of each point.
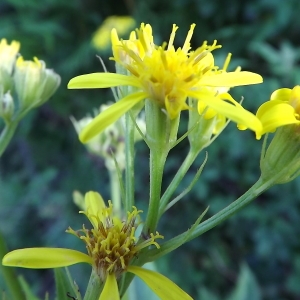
(34, 83)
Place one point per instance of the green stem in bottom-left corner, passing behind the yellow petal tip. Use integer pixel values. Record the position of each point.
(9, 275)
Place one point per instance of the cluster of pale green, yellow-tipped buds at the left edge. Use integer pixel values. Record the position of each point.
(31, 81)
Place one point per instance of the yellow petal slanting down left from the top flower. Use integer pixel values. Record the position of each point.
(110, 115)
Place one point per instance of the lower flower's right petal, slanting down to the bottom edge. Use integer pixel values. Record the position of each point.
(161, 285)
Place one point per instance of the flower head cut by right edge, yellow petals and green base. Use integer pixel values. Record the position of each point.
(281, 160)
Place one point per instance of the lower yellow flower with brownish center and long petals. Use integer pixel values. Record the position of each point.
(111, 245)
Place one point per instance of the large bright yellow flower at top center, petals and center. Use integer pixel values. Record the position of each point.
(167, 77)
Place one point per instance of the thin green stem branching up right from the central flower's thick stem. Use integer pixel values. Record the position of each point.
(190, 158)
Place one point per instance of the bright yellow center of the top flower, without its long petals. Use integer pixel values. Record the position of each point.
(167, 74)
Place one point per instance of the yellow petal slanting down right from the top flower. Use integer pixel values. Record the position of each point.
(235, 113)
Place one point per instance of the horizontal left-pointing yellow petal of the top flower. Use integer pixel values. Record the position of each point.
(101, 80)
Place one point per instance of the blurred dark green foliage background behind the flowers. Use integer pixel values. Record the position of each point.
(45, 162)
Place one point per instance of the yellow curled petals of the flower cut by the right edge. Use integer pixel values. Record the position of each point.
(282, 109)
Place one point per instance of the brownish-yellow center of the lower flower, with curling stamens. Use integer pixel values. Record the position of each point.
(112, 244)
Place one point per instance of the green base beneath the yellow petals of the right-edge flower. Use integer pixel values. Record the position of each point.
(281, 160)
